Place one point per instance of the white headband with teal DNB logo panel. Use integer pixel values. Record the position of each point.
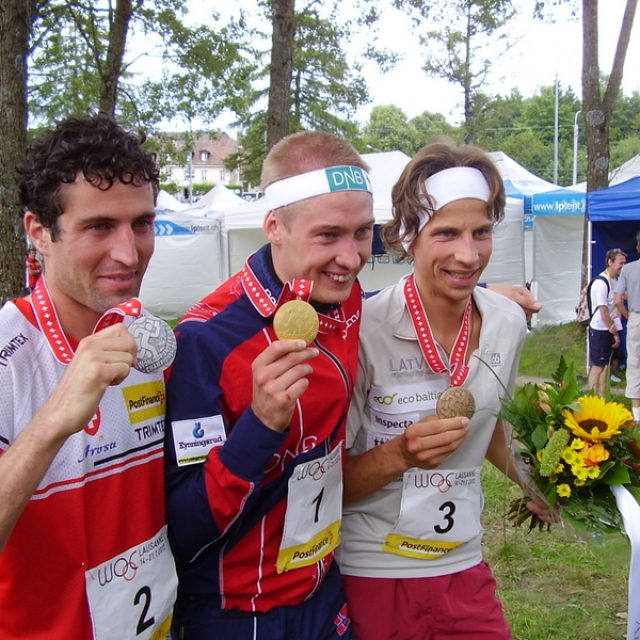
(316, 183)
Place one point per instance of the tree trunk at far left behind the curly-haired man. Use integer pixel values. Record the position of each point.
(16, 19)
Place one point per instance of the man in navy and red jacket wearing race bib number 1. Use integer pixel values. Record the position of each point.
(257, 424)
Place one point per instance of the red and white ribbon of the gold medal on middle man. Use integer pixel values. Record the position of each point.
(297, 289)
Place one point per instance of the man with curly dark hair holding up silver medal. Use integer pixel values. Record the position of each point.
(82, 519)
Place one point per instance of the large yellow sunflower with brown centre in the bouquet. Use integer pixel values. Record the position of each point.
(596, 420)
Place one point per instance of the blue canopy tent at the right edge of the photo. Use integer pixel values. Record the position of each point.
(614, 213)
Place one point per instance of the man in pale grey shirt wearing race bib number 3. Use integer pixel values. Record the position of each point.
(411, 544)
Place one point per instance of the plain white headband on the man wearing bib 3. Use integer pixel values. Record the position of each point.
(448, 186)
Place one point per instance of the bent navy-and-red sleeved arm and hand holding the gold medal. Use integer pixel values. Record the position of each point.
(204, 499)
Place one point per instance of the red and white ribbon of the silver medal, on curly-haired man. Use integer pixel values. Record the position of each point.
(49, 324)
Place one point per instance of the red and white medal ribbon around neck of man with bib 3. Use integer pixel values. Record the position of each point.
(458, 369)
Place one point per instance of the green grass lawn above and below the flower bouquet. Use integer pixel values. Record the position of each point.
(554, 584)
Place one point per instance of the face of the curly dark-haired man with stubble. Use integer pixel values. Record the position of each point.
(104, 242)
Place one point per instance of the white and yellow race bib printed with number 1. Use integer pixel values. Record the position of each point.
(314, 512)
